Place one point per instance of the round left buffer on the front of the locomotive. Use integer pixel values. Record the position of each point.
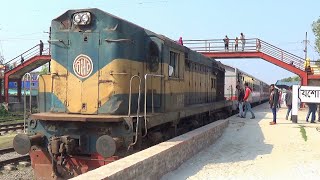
(22, 143)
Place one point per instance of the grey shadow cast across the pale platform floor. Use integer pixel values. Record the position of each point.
(242, 140)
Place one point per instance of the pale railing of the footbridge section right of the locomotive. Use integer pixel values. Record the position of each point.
(250, 45)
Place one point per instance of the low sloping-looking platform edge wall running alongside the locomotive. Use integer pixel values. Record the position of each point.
(156, 161)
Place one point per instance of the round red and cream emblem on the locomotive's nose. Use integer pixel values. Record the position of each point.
(82, 66)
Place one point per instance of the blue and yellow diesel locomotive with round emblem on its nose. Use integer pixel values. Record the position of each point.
(113, 88)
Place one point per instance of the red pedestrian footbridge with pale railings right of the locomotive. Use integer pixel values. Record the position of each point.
(254, 48)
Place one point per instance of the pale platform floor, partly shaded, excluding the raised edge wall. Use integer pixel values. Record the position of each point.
(253, 149)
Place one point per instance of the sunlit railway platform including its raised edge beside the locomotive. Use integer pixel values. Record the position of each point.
(234, 148)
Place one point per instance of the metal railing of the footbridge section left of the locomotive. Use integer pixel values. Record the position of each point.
(25, 56)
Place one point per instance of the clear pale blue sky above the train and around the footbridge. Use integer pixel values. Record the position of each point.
(280, 23)
